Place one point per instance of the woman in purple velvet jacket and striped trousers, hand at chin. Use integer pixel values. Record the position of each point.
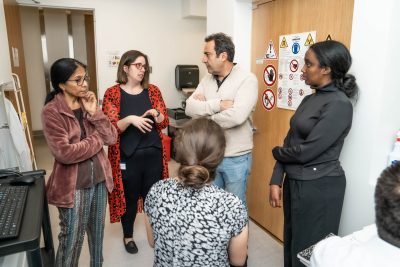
(76, 130)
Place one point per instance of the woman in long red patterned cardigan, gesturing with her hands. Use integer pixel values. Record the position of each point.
(137, 110)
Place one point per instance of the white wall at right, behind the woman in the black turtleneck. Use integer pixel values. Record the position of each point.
(374, 47)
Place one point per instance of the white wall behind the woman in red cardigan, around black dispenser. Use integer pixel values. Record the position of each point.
(155, 27)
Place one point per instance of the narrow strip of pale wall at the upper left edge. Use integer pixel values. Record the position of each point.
(5, 64)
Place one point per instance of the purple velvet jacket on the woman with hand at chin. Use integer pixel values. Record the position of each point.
(62, 132)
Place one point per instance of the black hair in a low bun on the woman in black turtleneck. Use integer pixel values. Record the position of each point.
(336, 56)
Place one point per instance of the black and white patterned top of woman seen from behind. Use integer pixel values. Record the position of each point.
(192, 227)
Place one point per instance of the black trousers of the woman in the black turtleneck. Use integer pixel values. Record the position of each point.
(312, 210)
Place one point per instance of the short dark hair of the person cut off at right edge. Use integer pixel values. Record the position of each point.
(387, 205)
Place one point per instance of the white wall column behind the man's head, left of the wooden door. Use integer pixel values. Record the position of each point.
(233, 17)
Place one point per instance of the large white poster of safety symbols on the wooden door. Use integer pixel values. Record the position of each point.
(292, 50)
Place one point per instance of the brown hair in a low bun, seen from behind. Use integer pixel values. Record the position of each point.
(200, 147)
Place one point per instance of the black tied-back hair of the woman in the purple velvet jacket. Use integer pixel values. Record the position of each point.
(60, 72)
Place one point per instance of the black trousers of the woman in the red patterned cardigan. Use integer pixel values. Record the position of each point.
(143, 169)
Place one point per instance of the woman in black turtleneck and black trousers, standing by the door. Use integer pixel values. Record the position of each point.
(315, 182)
